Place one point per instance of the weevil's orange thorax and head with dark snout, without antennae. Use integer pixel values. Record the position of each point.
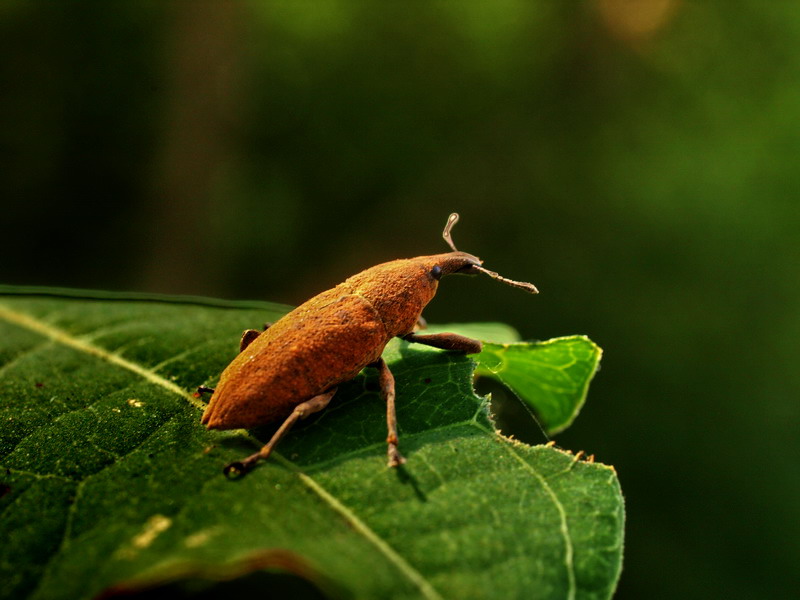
(400, 290)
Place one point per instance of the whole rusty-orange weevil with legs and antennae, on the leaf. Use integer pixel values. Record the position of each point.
(292, 368)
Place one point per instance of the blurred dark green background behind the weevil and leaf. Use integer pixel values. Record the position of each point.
(639, 160)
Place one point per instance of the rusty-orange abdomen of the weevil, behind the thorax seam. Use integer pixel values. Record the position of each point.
(324, 342)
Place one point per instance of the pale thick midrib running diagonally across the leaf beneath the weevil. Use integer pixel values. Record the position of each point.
(62, 337)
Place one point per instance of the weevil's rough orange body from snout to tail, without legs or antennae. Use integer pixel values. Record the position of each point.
(327, 340)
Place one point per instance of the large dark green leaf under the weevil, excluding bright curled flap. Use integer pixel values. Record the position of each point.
(108, 479)
